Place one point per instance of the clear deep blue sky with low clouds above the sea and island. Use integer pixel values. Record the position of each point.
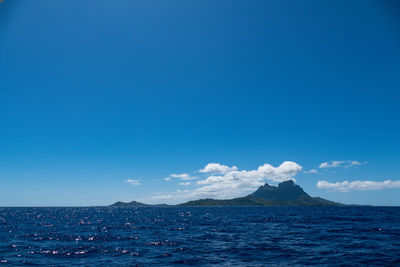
(167, 101)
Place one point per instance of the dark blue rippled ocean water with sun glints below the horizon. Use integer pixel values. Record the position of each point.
(208, 236)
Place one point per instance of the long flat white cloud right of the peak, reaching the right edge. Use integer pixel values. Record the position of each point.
(347, 186)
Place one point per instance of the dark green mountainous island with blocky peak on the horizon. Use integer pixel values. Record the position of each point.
(285, 194)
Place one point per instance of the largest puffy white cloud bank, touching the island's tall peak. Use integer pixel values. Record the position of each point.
(231, 182)
